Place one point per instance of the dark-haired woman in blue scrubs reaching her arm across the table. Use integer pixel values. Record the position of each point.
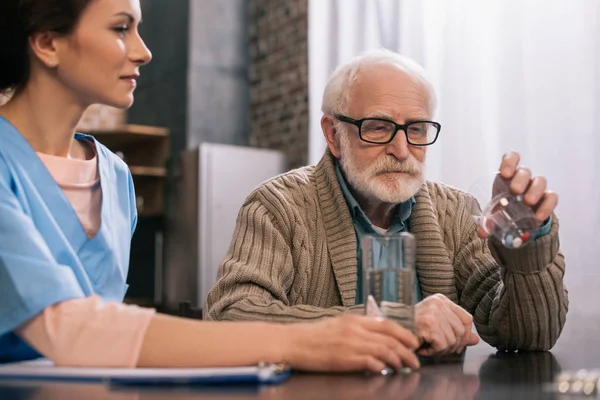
(67, 214)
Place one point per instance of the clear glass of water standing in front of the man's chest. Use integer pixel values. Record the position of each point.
(389, 277)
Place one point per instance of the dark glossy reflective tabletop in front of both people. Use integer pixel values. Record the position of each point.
(483, 374)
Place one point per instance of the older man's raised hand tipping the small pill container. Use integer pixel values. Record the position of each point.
(521, 181)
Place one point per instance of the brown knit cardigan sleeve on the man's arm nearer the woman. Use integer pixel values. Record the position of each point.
(257, 273)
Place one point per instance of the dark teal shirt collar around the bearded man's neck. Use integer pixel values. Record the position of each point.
(403, 210)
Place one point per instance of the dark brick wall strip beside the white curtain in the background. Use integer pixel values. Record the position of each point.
(279, 77)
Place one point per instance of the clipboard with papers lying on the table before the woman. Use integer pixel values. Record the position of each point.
(45, 370)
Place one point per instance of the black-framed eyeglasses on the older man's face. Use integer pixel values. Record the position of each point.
(383, 131)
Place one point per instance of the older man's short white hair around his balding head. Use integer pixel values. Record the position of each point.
(337, 91)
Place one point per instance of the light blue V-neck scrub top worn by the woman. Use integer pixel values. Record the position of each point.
(45, 254)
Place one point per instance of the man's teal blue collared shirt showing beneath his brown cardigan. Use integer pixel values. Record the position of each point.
(363, 226)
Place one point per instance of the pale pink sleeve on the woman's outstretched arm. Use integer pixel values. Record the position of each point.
(88, 332)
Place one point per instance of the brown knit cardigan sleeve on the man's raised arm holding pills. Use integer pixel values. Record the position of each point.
(517, 296)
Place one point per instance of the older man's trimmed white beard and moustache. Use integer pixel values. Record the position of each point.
(372, 182)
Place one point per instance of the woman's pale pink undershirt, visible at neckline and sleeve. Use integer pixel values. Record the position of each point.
(86, 332)
